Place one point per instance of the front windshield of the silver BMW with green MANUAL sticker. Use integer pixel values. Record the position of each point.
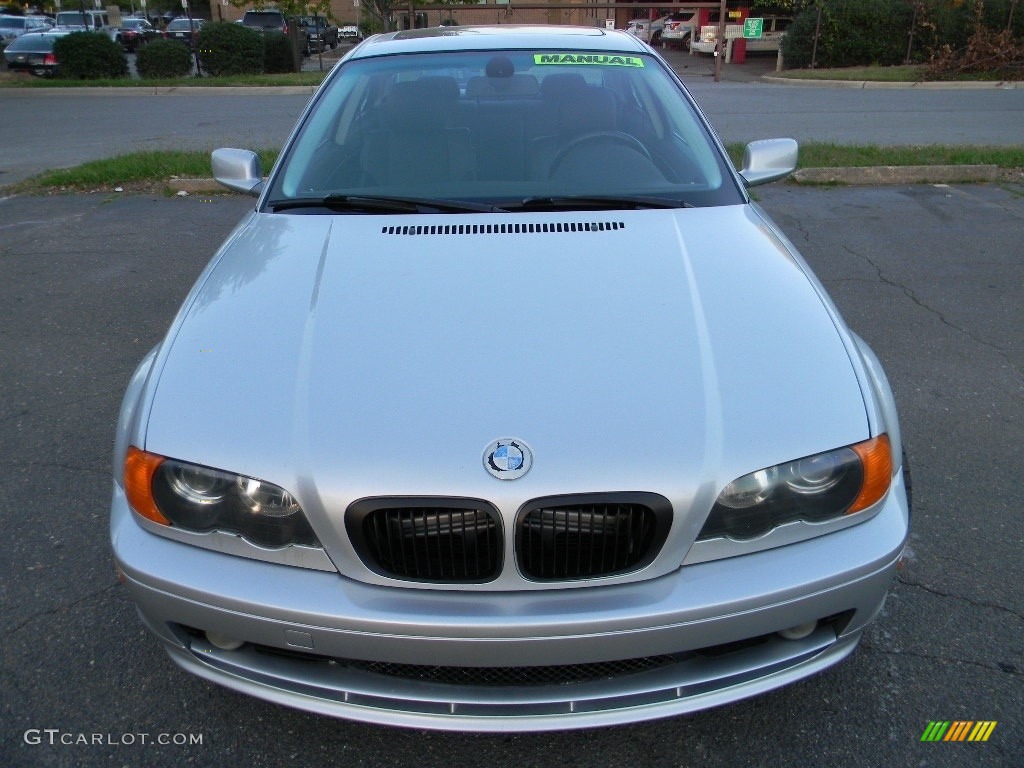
(501, 127)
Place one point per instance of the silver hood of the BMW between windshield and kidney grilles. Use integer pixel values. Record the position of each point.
(346, 357)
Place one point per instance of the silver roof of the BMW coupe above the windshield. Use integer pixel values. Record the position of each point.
(500, 37)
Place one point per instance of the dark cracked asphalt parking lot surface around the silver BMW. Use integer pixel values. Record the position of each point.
(930, 276)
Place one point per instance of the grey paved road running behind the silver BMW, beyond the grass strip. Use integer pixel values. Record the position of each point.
(46, 131)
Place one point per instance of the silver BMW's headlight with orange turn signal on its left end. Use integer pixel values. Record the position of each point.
(200, 499)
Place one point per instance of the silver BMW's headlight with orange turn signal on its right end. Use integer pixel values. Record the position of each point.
(816, 489)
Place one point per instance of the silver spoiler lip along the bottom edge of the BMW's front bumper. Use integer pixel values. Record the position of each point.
(615, 702)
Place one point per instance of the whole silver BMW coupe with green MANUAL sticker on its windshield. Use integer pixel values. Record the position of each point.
(506, 408)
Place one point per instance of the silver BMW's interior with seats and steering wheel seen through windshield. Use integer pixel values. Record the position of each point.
(493, 132)
